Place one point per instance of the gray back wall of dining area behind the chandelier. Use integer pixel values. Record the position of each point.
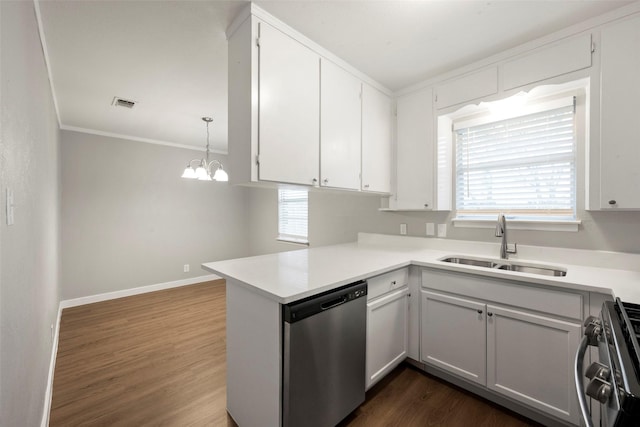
(129, 220)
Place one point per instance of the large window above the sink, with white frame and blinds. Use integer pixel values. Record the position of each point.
(518, 156)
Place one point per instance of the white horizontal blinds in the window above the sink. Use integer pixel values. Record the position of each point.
(523, 166)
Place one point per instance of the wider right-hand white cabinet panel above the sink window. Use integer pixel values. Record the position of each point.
(549, 61)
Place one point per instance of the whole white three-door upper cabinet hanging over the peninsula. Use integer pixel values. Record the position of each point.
(296, 113)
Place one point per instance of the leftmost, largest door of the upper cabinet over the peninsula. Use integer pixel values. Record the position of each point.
(289, 98)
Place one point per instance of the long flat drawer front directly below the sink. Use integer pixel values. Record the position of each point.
(512, 293)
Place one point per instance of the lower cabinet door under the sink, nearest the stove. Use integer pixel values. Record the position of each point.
(530, 359)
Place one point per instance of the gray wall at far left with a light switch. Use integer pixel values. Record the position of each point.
(29, 261)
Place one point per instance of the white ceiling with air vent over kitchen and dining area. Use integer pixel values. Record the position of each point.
(171, 56)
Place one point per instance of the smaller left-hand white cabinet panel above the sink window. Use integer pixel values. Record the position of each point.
(467, 88)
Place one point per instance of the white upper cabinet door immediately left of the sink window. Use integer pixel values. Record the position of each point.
(415, 161)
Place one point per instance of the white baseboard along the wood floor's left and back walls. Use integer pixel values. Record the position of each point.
(97, 298)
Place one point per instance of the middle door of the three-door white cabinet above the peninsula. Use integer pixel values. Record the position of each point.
(340, 127)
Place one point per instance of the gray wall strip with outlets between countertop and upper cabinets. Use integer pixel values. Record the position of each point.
(338, 217)
